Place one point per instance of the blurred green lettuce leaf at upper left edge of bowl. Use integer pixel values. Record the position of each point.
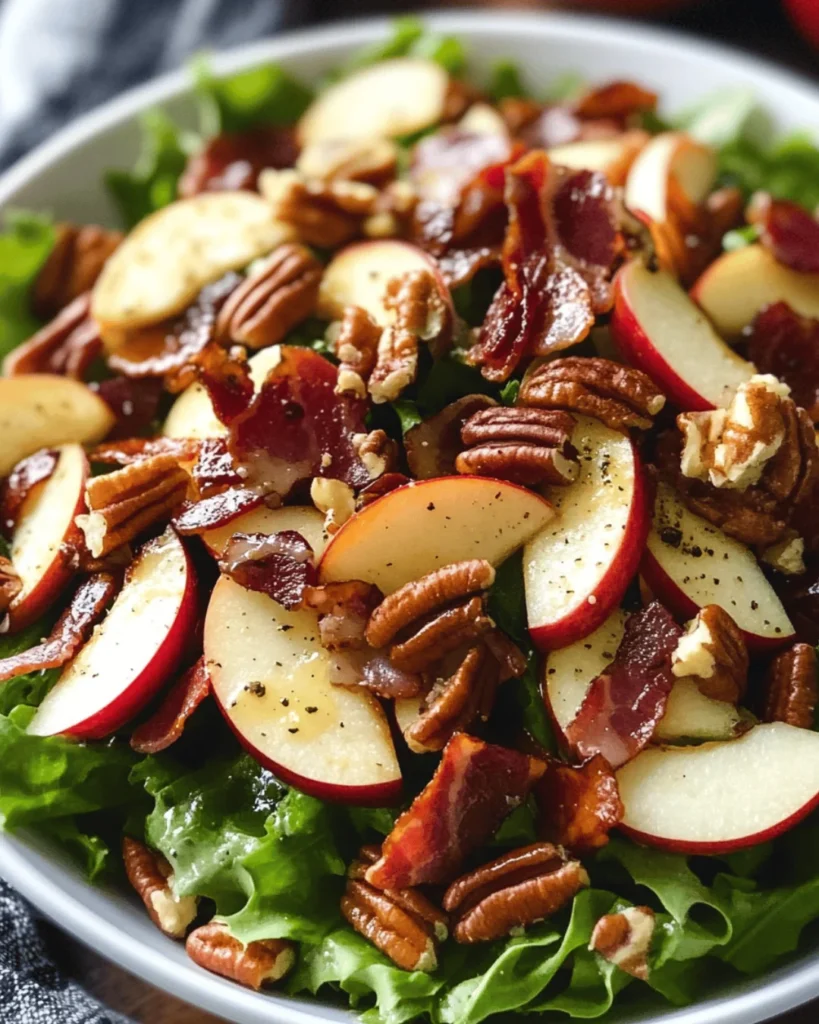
(25, 245)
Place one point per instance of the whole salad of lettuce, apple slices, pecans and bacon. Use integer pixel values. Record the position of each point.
(409, 573)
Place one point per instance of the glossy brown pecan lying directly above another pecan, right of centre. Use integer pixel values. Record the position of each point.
(621, 397)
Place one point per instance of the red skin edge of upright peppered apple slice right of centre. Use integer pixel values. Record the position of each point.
(586, 618)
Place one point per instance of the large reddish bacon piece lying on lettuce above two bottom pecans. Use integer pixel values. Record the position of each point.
(475, 788)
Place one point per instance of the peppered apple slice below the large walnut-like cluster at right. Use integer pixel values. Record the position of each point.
(689, 564)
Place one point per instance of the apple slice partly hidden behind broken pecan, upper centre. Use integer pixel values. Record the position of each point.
(359, 276)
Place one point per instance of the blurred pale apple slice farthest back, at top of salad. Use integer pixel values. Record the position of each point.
(390, 99)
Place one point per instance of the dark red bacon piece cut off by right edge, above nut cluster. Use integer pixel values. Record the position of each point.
(787, 346)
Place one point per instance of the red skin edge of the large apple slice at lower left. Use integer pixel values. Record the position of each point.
(165, 662)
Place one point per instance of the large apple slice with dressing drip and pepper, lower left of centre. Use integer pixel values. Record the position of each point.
(271, 677)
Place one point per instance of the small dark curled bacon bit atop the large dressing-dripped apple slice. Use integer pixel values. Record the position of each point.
(280, 566)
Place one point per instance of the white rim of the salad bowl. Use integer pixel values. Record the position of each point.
(23, 866)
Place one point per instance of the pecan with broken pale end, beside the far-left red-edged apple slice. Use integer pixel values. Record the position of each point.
(125, 503)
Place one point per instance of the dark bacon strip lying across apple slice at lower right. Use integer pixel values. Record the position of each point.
(624, 705)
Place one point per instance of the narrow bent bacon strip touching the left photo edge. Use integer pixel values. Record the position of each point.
(71, 631)
